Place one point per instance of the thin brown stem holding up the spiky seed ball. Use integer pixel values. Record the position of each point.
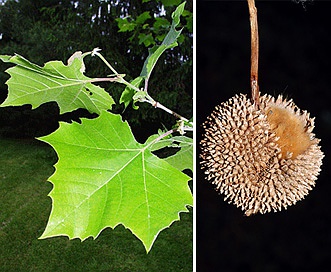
(254, 52)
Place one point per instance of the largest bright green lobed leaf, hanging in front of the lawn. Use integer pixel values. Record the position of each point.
(104, 178)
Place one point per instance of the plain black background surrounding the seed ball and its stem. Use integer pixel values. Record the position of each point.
(295, 61)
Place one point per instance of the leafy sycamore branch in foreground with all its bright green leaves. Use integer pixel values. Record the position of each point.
(104, 177)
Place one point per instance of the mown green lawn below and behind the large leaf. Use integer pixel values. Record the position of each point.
(25, 166)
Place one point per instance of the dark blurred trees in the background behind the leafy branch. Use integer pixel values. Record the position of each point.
(53, 30)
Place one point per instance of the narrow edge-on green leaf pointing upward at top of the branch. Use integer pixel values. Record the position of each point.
(168, 42)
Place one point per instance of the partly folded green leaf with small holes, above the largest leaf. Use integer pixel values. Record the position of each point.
(64, 84)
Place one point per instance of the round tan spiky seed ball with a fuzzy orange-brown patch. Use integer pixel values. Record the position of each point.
(261, 158)
